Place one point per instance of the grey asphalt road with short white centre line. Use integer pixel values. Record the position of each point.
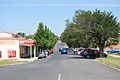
(60, 67)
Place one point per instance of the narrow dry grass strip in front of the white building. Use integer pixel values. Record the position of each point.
(9, 62)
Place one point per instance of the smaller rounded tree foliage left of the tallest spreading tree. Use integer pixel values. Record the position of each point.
(74, 36)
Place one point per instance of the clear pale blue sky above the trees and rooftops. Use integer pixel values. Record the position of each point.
(25, 15)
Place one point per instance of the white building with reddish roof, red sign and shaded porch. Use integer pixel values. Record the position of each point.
(13, 46)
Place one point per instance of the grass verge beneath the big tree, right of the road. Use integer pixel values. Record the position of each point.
(111, 60)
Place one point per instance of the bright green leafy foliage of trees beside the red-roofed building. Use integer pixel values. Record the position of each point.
(45, 39)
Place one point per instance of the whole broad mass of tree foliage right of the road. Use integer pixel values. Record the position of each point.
(91, 28)
